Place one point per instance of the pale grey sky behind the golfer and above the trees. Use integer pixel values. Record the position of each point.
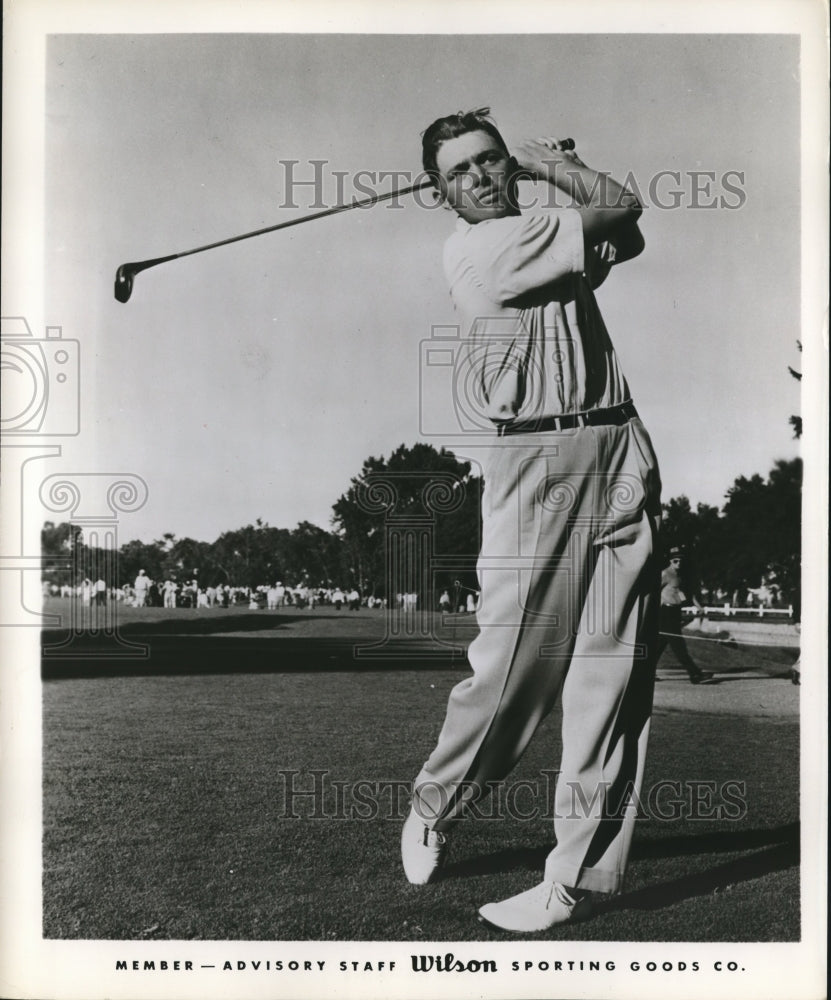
(252, 381)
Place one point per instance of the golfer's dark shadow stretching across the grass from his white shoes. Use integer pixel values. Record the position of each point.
(773, 850)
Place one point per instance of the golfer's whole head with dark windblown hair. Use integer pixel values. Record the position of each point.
(470, 165)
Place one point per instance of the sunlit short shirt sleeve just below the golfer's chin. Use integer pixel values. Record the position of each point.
(520, 254)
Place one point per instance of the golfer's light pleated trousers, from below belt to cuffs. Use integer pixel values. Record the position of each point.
(569, 580)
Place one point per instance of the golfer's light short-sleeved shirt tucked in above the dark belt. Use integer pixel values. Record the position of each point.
(537, 345)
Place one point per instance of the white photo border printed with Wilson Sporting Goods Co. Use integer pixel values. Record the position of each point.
(35, 967)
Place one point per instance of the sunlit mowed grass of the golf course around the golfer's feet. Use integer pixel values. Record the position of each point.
(168, 808)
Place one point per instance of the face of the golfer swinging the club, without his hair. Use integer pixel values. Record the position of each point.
(476, 177)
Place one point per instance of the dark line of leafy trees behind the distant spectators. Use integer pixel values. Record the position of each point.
(420, 492)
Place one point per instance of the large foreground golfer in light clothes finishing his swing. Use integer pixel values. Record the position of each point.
(571, 511)
